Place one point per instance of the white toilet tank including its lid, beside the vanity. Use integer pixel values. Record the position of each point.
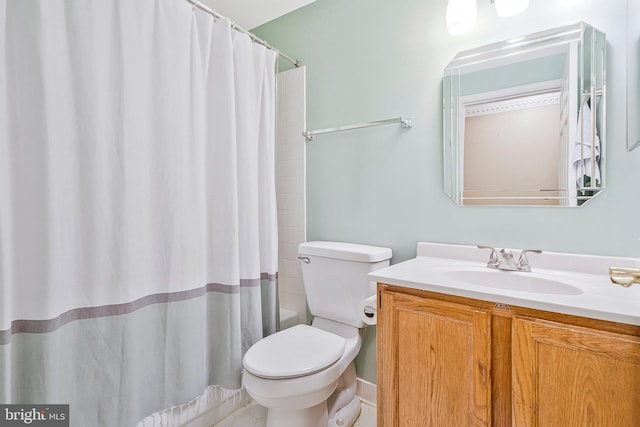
(335, 277)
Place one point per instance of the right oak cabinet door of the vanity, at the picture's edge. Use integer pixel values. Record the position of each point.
(570, 376)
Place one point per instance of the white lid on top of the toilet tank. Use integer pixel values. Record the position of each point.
(345, 251)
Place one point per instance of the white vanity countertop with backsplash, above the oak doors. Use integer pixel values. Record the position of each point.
(588, 291)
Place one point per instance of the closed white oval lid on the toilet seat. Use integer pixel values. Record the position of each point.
(295, 352)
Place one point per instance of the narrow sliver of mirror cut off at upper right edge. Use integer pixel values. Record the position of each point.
(633, 74)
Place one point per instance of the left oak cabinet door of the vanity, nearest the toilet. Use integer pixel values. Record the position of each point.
(433, 363)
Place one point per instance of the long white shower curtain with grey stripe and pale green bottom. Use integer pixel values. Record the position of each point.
(138, 232)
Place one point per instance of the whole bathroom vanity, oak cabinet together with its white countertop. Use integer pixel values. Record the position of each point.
(460, 344)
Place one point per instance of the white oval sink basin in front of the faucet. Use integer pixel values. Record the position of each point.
(514, 281)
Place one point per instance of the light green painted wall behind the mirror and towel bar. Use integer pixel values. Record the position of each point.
(377, 59)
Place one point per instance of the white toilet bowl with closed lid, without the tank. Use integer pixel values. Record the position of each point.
(300, 394)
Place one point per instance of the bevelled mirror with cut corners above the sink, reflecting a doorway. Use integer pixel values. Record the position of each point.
(524, 120)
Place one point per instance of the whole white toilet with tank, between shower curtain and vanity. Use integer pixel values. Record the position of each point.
(305, 375)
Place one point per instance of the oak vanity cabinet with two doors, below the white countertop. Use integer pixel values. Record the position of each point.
(453, 361)
